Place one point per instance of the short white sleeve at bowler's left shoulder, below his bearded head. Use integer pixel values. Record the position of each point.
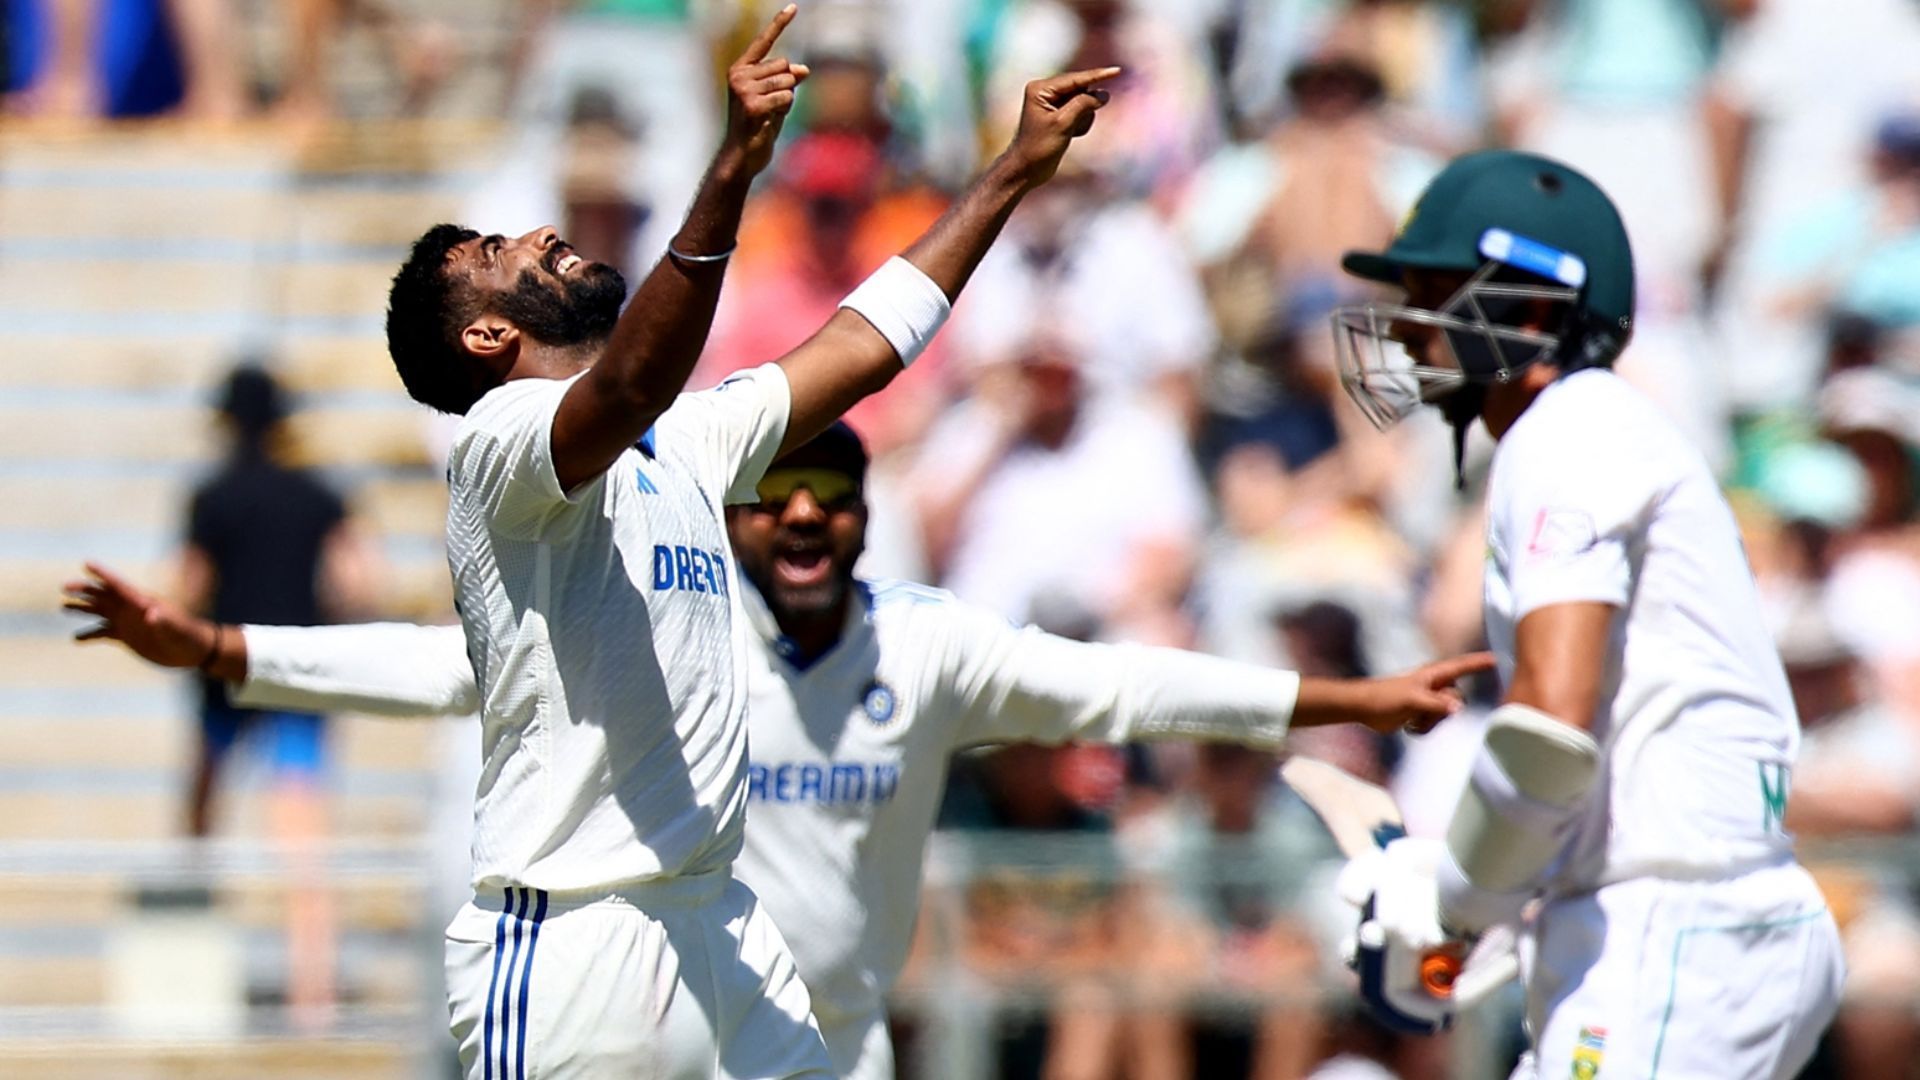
(502, 460)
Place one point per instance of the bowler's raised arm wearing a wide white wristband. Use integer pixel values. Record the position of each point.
(850, 356)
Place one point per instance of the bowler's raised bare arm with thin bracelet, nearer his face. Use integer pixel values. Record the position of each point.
(663, 330)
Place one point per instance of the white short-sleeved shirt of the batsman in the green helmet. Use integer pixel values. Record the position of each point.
(1595, 497)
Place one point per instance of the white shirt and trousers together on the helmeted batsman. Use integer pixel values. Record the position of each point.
(1679, 931)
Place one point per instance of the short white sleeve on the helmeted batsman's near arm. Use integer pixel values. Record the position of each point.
(1572, 524)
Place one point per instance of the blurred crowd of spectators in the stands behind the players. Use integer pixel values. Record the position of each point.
(1132, 428)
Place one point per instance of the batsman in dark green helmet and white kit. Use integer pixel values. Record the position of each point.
(1637, 773)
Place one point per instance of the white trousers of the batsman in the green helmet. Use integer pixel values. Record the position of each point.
(1683, 981)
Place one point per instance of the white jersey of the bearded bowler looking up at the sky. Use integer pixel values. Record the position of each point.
(604, 637)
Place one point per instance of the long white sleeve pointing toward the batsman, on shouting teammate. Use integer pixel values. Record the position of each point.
(1024, 685)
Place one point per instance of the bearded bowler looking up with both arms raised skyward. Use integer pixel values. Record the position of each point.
(608, 935)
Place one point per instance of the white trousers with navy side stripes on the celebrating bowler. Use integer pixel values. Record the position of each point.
(683, 979)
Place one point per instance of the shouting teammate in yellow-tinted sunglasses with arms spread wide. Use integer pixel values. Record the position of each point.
(859, 693)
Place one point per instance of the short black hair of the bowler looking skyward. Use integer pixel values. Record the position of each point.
(425, 316)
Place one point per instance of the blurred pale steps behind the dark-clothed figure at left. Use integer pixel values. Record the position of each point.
(135, 268)
